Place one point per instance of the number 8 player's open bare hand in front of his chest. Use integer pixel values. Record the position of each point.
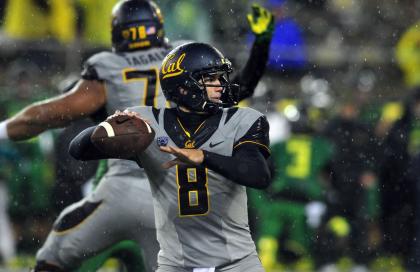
(183, 156)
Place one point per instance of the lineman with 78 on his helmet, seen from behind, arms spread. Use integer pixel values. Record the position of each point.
(126, 77)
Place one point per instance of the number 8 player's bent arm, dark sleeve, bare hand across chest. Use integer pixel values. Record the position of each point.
(250, 164)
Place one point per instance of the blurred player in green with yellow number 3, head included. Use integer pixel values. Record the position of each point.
(291, 208)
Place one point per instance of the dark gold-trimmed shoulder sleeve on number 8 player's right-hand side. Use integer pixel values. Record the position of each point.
(257, 134)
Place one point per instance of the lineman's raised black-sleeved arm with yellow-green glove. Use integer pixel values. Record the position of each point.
(261, 22)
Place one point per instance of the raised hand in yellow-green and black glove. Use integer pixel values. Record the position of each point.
(261, 22)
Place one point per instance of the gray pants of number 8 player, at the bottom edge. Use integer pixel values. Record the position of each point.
(250, 263)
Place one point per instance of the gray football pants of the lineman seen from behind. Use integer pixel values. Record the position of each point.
(125, 212)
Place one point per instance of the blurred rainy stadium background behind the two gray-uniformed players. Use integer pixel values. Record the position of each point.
(342, 86)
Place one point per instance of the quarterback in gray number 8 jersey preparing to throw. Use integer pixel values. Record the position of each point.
(204, 156)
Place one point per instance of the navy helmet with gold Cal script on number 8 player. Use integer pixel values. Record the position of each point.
(186, 67)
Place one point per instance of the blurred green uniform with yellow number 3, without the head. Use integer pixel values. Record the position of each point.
(299, 161)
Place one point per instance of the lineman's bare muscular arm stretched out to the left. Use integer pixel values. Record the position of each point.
(84, 99)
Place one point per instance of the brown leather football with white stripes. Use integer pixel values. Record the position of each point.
(122, 136)
